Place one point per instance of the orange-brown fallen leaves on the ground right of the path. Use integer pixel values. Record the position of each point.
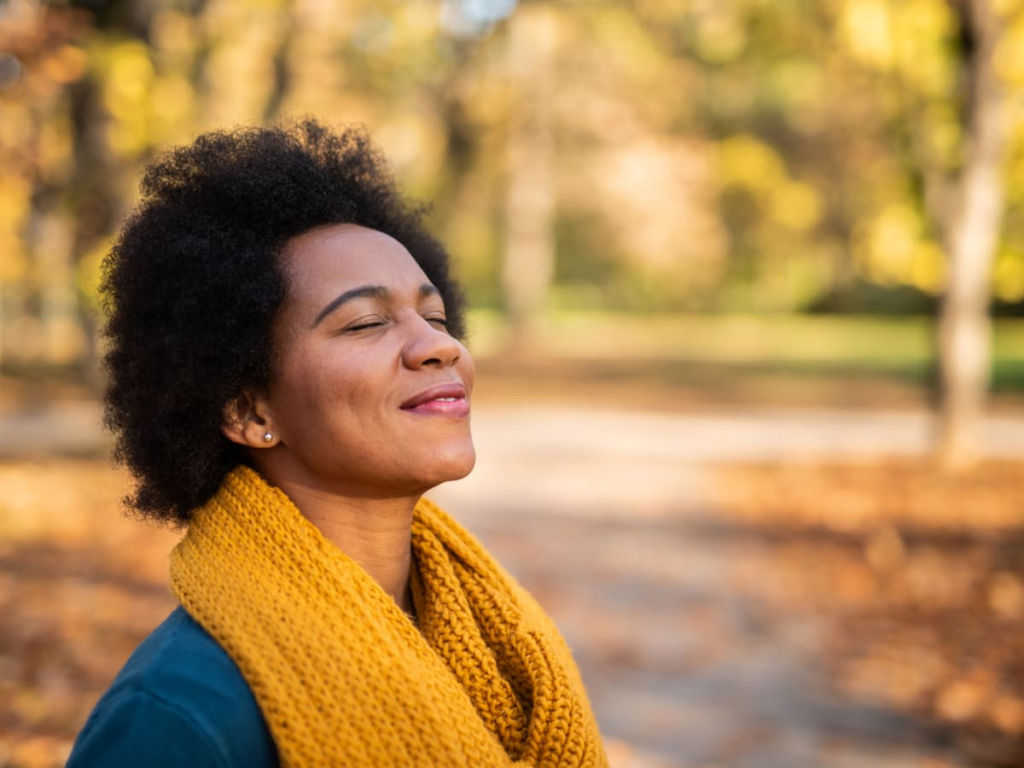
(923, 583)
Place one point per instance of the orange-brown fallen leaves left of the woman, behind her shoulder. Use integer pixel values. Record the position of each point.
(80, 587)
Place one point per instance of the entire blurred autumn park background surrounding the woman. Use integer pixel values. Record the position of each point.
(749, 313)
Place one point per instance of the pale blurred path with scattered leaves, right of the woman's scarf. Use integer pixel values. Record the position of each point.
(609, 519)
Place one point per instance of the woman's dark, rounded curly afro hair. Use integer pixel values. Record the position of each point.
(194, 284)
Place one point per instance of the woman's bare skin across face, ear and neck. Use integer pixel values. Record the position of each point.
(344, 449)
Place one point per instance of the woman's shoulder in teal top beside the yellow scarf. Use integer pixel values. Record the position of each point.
(179, 701)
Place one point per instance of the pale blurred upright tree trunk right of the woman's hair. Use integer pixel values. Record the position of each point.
(530, 248)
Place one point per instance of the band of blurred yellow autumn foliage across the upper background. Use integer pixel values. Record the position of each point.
(649, 155)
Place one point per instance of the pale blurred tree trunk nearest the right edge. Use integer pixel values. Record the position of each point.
(965, 329)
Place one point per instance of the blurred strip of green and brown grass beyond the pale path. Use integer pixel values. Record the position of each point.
(676, 361)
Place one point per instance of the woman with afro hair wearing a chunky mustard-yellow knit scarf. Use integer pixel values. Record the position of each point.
(287, 380)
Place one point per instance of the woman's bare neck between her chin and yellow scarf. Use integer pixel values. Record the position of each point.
(375, 533)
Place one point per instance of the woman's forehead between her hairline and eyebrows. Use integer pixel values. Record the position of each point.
(325, 262)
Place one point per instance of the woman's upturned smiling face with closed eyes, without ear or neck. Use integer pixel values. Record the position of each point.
(371, 394)
